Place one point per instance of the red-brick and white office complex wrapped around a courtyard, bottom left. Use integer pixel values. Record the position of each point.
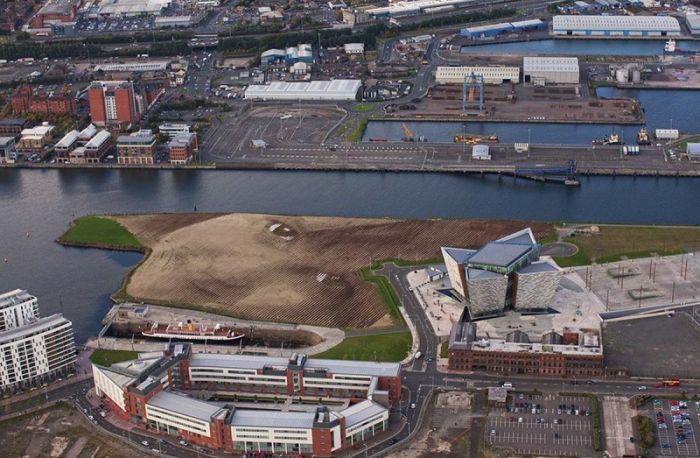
(201, 398)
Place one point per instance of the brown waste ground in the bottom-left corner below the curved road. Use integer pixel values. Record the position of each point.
(57, 432)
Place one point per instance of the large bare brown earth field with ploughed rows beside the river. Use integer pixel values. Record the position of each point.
(236, 265)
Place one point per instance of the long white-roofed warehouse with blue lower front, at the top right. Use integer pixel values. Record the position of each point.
(616, 26)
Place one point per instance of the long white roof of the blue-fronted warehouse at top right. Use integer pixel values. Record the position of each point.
(650, 23)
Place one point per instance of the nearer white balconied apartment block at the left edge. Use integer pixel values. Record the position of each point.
(37, 352)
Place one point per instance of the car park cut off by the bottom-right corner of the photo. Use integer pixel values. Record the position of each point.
(676, 424)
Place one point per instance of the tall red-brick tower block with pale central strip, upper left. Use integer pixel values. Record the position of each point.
(114, 103)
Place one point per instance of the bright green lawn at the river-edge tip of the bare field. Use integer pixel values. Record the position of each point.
(100, 231)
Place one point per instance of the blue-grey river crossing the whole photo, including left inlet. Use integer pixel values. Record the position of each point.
(37, 206)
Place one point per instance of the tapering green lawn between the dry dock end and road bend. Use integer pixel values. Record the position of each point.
(382, 347)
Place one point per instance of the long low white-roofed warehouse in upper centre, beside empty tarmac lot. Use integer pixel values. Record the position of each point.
(316, 90)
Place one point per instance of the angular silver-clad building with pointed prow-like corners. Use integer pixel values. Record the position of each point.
(503, 274)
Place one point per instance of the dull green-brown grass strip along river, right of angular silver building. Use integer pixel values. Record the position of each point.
(614, 243)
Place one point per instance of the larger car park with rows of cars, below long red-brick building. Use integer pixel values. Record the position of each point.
(543, 425)
